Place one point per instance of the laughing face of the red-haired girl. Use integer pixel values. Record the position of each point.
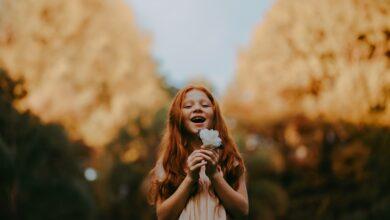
(197, 111)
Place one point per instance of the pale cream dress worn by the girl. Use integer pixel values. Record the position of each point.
(202, 206)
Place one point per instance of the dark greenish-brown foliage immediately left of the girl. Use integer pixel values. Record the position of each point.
(122, 191)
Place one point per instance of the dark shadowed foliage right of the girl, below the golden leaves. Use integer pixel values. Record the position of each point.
(345, 174)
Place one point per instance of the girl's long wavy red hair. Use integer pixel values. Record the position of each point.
(175, 148)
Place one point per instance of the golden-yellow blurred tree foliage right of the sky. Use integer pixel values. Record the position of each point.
(326, 59)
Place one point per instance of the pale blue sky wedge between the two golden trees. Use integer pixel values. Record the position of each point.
(199, 39)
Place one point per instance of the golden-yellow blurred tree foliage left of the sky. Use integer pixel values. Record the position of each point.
(85, 64)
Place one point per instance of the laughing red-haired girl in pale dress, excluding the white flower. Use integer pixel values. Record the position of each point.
(190, 181)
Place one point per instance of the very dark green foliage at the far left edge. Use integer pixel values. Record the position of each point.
(41, 169)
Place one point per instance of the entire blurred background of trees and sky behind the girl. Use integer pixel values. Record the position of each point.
(85, 86)
